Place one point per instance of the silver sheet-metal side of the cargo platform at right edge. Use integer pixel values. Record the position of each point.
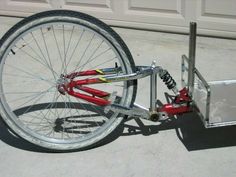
(218, 107)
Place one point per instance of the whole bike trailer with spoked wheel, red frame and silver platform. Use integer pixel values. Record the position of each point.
(63, 42)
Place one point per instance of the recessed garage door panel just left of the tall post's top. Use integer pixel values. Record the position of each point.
(165, 12)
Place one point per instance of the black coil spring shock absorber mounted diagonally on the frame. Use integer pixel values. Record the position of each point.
(168, 80)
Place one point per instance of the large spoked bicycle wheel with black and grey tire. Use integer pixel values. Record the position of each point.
(34, 53)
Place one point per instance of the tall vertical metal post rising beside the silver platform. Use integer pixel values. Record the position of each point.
(192, 51)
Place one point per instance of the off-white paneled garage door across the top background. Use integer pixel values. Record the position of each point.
(214, 17)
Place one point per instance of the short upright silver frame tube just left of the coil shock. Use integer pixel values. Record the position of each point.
(153, 89)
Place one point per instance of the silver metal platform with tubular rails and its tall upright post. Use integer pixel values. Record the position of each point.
(214, 101)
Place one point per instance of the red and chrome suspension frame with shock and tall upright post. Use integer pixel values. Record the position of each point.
(181, 104)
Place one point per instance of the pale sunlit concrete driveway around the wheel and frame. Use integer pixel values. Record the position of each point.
(180, 148)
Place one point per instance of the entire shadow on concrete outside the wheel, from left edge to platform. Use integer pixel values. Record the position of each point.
(188, 127)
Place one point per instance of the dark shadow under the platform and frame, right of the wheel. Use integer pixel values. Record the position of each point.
(190, 132)
